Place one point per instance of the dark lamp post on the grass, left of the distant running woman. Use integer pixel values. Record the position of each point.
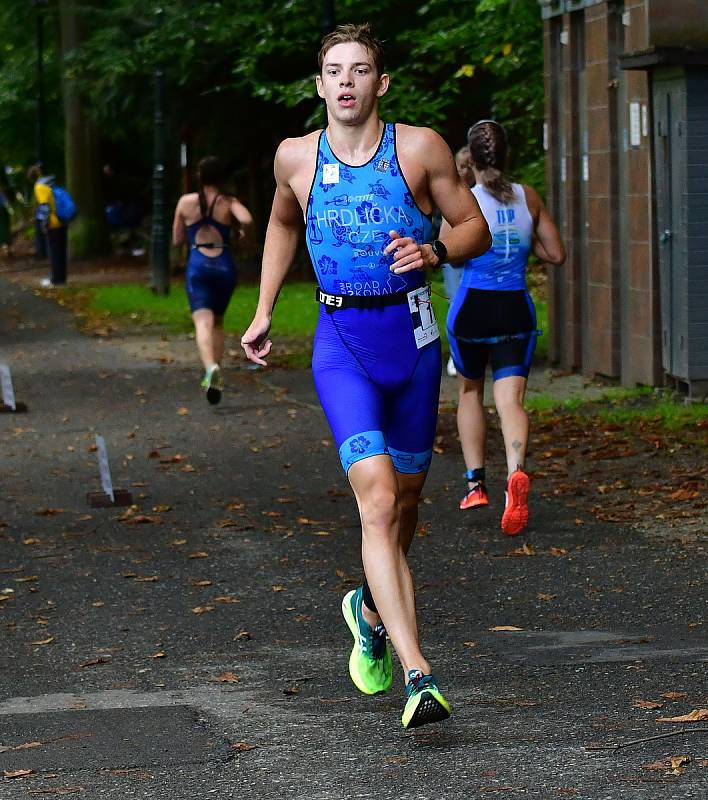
(160, 255)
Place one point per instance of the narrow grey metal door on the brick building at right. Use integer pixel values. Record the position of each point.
(669, 96)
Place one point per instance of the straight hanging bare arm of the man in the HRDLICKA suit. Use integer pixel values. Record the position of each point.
(281, 240)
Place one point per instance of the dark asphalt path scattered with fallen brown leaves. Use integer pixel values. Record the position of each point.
(192, 647)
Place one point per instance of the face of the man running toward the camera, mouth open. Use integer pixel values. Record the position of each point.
(349, 84)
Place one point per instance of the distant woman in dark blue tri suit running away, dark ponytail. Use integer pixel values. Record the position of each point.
(204, 220)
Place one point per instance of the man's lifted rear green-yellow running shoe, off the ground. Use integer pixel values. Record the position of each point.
(370, 662)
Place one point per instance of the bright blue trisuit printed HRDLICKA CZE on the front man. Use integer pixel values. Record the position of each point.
(376, 369)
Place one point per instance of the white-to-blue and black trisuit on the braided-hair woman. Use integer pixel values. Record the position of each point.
(492, 317)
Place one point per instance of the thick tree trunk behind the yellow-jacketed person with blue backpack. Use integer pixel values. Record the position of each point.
(88, 233)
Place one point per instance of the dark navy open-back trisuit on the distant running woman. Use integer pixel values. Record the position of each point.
(210, 280)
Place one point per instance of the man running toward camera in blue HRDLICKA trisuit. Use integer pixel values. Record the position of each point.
(367, 191)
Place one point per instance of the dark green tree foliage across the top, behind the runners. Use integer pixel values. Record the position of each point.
(240, 75)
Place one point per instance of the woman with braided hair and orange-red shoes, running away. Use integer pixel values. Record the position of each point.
(493, 318)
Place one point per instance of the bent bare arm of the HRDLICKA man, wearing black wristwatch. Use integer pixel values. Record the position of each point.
(468, 233)
